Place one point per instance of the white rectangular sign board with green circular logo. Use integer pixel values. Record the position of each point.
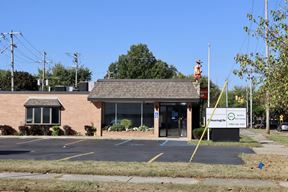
(227, 118)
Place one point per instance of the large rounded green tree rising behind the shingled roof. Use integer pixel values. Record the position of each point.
(140, 63)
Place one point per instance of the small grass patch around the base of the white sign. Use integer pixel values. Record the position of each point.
(245, 141)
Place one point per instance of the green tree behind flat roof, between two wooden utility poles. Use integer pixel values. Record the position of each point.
(60, 75)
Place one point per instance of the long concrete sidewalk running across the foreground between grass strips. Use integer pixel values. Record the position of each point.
(154, 180)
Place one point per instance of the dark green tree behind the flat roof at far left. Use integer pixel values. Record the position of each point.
(23, 81)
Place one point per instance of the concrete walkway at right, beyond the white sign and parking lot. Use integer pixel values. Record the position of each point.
(268, 146)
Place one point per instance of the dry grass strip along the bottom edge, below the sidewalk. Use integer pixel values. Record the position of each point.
(54, 185)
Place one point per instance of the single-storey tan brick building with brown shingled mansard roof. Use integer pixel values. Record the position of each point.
(170, 106)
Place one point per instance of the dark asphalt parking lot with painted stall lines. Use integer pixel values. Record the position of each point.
(116, 150)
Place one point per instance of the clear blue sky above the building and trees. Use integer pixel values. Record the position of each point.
(176, 31)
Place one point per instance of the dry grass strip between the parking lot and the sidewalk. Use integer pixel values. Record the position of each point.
(278, 169)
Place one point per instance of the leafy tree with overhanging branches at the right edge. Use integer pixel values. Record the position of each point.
(271, 77)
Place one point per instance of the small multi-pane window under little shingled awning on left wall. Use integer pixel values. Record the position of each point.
(43, 115)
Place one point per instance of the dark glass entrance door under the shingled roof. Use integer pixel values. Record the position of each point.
(173, 120)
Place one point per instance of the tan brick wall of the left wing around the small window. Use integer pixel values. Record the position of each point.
(77, 111)
